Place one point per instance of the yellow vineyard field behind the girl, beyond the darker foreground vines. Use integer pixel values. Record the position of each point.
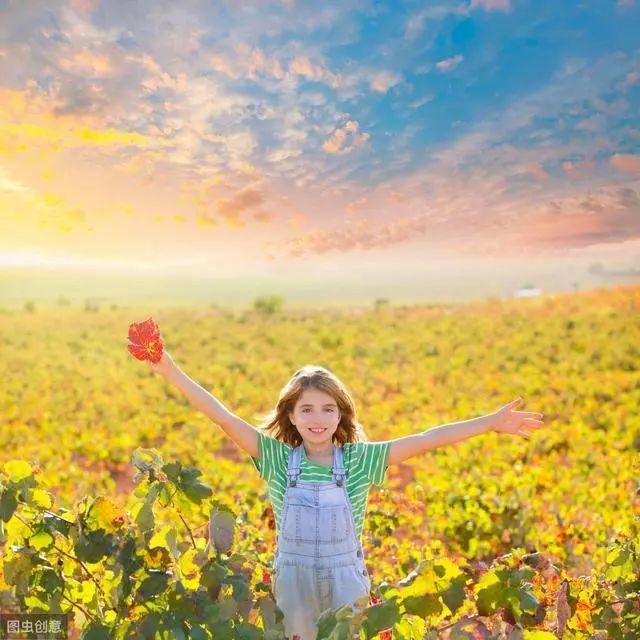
(76, 405)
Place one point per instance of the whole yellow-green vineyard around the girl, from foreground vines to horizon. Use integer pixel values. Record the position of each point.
(559, 512)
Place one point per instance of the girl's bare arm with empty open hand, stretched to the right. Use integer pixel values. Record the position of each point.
(505, 420)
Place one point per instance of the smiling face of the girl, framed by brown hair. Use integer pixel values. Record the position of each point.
(316, 416)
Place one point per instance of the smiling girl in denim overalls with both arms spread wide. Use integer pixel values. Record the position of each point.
(319, 467)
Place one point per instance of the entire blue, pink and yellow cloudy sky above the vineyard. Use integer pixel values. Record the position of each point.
(339, 142)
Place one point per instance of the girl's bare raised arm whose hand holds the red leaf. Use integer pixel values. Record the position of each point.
(241, 432)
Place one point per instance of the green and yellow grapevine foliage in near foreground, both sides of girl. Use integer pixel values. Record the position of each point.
(146, 572)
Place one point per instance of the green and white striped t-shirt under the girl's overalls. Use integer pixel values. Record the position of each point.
(365, 463)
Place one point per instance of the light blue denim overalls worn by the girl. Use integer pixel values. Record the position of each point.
(319, 563)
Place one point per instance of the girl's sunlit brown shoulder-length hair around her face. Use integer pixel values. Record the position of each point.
(278, 424)
